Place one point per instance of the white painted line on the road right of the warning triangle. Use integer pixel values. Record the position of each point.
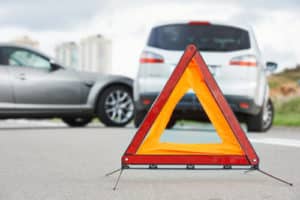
(277, 141)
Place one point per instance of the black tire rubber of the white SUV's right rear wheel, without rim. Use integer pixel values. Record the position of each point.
(256, 123)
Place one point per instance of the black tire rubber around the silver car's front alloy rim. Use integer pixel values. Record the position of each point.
(100, 111)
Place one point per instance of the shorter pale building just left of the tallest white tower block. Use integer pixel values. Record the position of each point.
(67, 54)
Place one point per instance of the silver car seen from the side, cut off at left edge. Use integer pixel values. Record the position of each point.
(32, 85)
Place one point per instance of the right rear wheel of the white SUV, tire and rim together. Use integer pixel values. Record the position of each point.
(263, 120)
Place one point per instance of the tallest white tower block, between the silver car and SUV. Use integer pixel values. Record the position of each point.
(96, 54)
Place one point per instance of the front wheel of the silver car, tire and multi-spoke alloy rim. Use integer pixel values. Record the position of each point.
(115, 106)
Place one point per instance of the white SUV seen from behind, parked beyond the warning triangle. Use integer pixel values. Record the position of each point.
(233, 57)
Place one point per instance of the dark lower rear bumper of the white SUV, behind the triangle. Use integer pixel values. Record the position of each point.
(189, 107)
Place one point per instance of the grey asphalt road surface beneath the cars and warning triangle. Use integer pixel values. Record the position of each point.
(48, 161)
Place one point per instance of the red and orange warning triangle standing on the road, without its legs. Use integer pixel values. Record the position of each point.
(234, 148)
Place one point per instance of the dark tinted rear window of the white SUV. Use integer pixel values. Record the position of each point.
(206, 37)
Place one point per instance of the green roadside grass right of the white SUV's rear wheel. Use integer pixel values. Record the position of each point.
(287, 113)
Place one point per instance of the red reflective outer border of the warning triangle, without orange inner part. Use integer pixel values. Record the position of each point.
(249, 157)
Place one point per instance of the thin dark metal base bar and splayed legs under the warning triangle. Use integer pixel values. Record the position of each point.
(193, 167)
